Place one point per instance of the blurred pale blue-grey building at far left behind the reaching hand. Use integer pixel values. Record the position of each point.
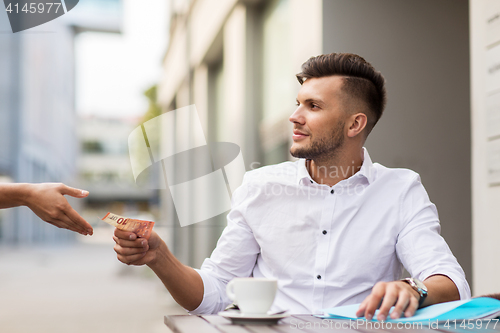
(37, 114)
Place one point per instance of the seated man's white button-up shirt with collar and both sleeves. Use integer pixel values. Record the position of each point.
(327, 246)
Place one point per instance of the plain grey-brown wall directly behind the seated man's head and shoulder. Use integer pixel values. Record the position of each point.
(422, 48)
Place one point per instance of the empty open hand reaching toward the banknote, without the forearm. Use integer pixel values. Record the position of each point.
(48, 202)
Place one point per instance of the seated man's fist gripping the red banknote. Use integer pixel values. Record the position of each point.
(132, 250)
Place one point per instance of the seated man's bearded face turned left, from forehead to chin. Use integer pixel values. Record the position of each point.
(319, 120)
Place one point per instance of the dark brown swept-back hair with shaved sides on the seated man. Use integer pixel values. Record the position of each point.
(361, 80)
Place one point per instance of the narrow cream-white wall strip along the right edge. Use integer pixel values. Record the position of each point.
(485, 84)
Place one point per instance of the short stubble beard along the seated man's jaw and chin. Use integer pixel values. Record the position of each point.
(323, 148)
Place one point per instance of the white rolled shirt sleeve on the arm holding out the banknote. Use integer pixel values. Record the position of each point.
(234, 256)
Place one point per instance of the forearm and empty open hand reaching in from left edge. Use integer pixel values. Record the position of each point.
(47, 201)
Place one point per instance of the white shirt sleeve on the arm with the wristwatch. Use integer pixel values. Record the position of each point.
(420, 247)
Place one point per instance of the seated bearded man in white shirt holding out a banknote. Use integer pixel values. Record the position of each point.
(332, 227)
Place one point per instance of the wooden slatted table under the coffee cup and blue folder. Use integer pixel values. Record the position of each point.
(310, 324)
